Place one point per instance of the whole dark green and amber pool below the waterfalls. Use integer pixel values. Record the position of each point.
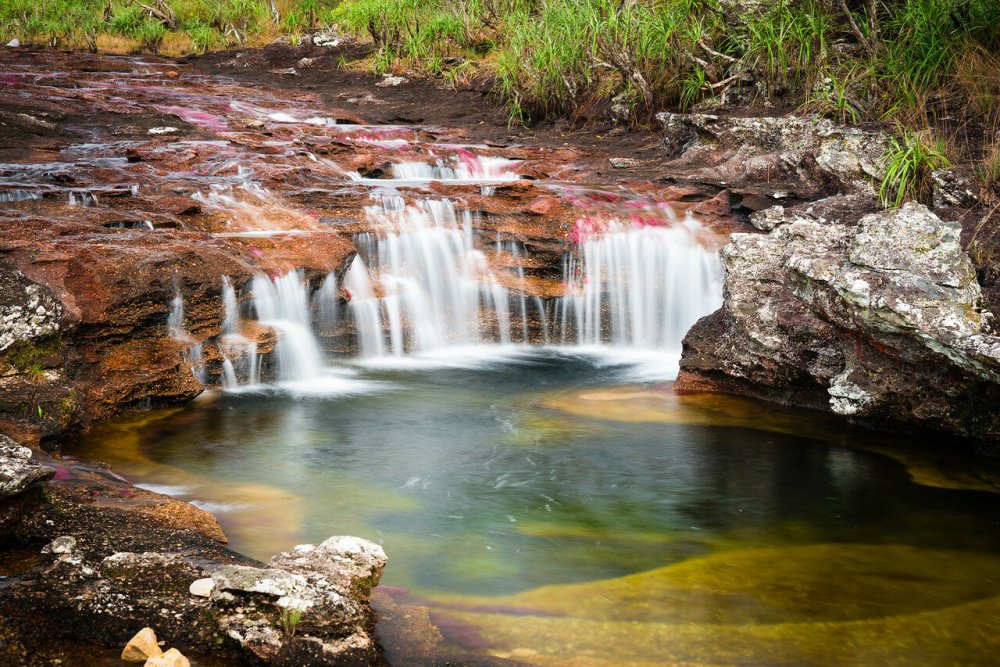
(548, 510)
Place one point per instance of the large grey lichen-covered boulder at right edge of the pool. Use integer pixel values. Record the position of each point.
(883, 321)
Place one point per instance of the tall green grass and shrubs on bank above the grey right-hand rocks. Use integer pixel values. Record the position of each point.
(920, 63)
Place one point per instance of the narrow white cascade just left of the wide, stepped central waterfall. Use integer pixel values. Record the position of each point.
(283, 304)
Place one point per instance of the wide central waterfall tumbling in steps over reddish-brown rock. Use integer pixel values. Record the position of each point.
(436, 289)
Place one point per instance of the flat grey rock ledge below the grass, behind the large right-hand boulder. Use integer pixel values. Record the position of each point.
(803, 156)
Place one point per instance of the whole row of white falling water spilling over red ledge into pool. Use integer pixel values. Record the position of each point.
(422, 291)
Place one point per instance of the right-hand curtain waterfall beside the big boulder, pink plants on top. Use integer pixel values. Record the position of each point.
(640, 287)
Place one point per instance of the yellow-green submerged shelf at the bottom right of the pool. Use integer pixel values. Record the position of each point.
(819, 604)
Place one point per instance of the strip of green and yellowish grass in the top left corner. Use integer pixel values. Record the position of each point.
(170, 26)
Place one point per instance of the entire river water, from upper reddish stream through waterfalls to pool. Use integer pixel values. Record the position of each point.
(516, 447)
